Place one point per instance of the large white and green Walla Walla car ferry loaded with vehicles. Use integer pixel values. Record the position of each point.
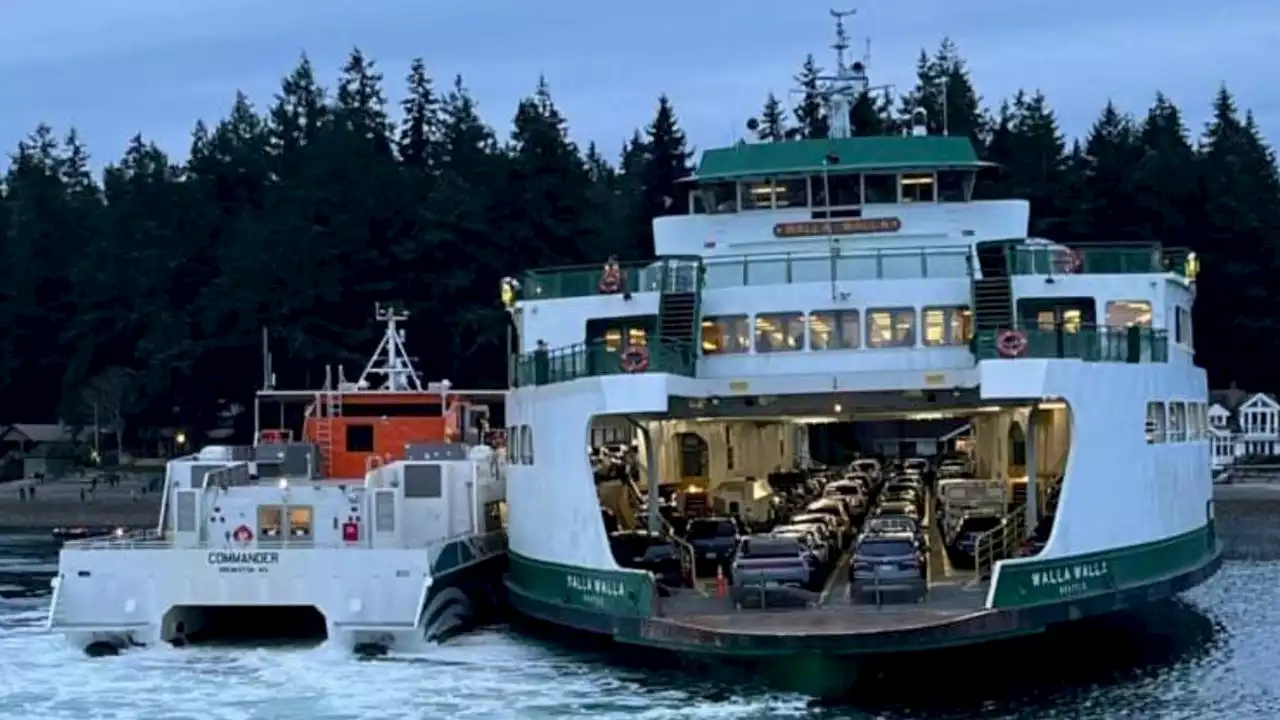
(852, 411)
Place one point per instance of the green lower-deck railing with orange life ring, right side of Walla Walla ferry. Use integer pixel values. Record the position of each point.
(1095, 344)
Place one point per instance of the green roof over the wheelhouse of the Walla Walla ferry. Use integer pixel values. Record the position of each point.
(857, 154)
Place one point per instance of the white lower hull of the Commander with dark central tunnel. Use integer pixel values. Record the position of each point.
(108, 599)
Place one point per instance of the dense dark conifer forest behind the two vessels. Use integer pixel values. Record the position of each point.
(144, 291)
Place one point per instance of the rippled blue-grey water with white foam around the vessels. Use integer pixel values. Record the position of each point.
(1210, 655)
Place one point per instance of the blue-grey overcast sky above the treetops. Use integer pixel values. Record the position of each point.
(113, 69)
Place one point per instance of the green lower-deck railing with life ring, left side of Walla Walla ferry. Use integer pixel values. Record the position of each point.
(592, 359)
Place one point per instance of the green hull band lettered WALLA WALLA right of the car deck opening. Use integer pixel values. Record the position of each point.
(1099, 573)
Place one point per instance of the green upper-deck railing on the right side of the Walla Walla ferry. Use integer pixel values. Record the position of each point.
(1098, 259)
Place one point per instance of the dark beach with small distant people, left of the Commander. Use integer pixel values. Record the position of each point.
(57, 504)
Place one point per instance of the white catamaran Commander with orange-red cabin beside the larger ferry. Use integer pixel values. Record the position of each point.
(382, 525)
